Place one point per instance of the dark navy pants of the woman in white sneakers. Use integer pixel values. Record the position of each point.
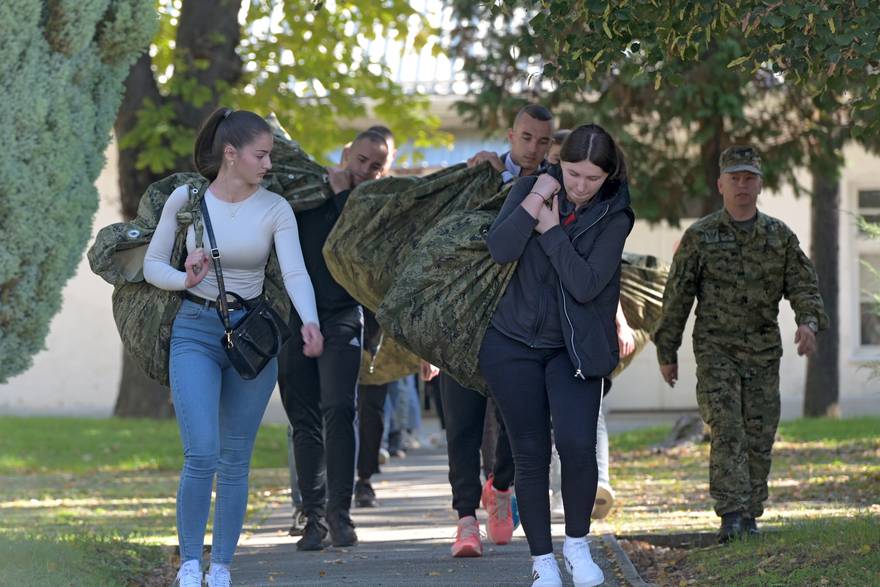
(533, 387)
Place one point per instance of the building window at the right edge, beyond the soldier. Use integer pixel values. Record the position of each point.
(869, 271)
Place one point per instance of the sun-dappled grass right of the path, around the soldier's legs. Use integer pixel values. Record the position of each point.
(822, 520)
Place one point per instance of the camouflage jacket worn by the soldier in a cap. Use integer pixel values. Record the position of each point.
(738, 278)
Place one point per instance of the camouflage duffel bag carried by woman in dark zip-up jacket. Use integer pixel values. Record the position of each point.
(441, 303)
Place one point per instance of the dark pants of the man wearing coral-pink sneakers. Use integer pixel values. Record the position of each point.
(465, 411)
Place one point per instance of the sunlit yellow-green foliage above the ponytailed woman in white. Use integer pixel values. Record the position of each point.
(302, 60)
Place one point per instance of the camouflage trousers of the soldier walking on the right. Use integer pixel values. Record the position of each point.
(739, 401)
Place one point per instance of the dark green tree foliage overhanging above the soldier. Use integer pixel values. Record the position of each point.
(677, 82)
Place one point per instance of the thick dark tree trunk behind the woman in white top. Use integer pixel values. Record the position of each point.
(204, 53)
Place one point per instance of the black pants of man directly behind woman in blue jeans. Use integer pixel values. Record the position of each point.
(319, 396)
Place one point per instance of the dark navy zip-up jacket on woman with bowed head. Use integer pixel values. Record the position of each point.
(567, 285)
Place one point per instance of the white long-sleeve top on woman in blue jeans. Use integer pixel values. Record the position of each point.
(245, 232)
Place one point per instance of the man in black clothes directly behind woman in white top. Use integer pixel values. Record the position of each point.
(319, 395)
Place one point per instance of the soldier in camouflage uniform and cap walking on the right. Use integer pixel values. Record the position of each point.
(738, 263)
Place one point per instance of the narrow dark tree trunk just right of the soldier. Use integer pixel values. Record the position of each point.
(822, 390)
